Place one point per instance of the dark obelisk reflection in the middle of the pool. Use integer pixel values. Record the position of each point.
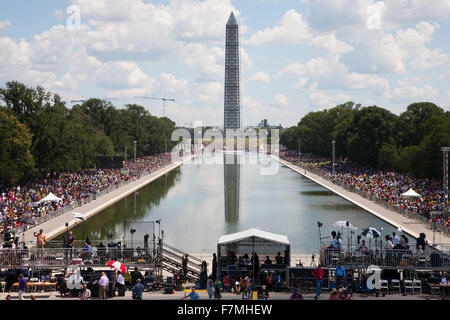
(232, 184)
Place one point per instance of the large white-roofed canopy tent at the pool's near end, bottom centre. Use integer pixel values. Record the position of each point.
(253, 240)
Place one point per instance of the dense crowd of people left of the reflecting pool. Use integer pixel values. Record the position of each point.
(21, 204)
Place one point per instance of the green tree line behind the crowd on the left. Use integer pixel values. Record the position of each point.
(40, 134)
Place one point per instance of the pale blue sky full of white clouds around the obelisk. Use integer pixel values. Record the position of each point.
(297, 56)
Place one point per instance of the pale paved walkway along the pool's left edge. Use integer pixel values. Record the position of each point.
(56, 226)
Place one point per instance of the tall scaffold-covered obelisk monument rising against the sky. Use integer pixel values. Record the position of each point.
(232, 109)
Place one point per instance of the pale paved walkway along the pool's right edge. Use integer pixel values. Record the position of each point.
(410, 226)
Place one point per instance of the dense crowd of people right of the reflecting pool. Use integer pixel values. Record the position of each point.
(381, 185)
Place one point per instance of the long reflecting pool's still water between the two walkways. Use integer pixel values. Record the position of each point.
(197, 203)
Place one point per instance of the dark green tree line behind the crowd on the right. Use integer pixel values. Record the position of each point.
(374, 137)
